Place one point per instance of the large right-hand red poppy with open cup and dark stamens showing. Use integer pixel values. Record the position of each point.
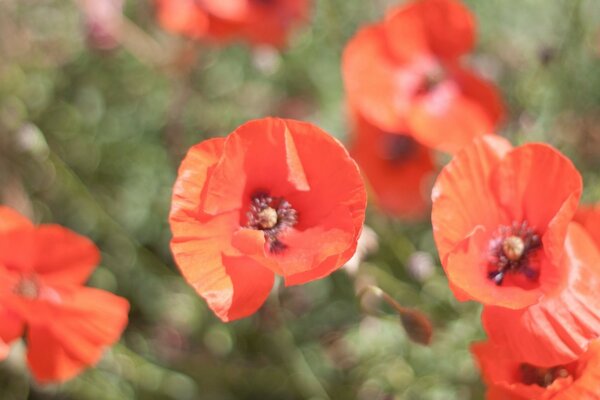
(498, 228)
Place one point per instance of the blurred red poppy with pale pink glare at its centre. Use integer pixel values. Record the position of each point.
(405, 71)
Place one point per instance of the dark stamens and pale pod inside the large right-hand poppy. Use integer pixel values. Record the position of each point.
(510, 252)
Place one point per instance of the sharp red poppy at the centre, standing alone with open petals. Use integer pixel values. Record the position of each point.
(274, 197)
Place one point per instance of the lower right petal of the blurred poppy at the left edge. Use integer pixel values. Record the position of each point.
(74, 333)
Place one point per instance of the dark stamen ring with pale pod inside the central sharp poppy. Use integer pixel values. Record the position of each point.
(272, 215)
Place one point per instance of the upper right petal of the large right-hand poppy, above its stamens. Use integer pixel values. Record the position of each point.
(521, 183)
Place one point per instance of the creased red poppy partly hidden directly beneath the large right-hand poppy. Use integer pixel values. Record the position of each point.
(559, 328)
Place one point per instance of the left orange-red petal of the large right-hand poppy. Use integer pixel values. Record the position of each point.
(462, 197)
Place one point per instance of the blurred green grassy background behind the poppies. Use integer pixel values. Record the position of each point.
(91, 139)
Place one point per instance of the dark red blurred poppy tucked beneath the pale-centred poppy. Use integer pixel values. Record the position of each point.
(398, 169)
